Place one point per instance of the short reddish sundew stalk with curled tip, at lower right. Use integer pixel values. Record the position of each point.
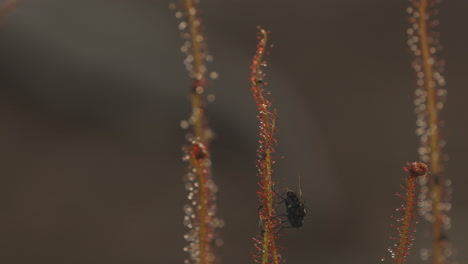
(406, 229)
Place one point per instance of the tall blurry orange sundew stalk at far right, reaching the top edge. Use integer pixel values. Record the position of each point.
(430, 97)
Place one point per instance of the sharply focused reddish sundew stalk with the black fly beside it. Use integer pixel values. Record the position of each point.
(269, 221)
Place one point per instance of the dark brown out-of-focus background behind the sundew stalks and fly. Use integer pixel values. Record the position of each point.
(92, 93)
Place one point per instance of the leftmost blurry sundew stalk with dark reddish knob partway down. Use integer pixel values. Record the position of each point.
(200, 214)
